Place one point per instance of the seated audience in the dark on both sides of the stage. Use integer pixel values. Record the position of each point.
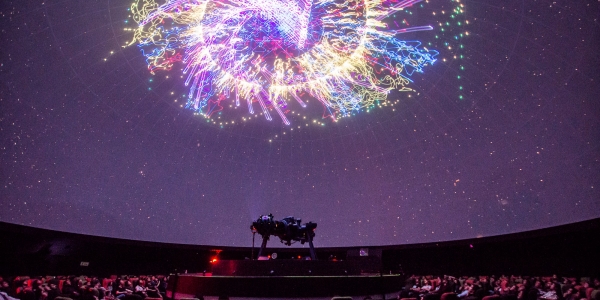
(416, 288)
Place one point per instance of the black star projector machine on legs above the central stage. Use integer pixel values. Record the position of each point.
(287, 230)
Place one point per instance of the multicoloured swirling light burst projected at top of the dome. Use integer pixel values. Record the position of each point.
(271, 53)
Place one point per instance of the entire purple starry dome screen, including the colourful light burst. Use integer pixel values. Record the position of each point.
(498, 134)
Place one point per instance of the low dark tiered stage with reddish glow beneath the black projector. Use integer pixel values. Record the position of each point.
(284, 279)
